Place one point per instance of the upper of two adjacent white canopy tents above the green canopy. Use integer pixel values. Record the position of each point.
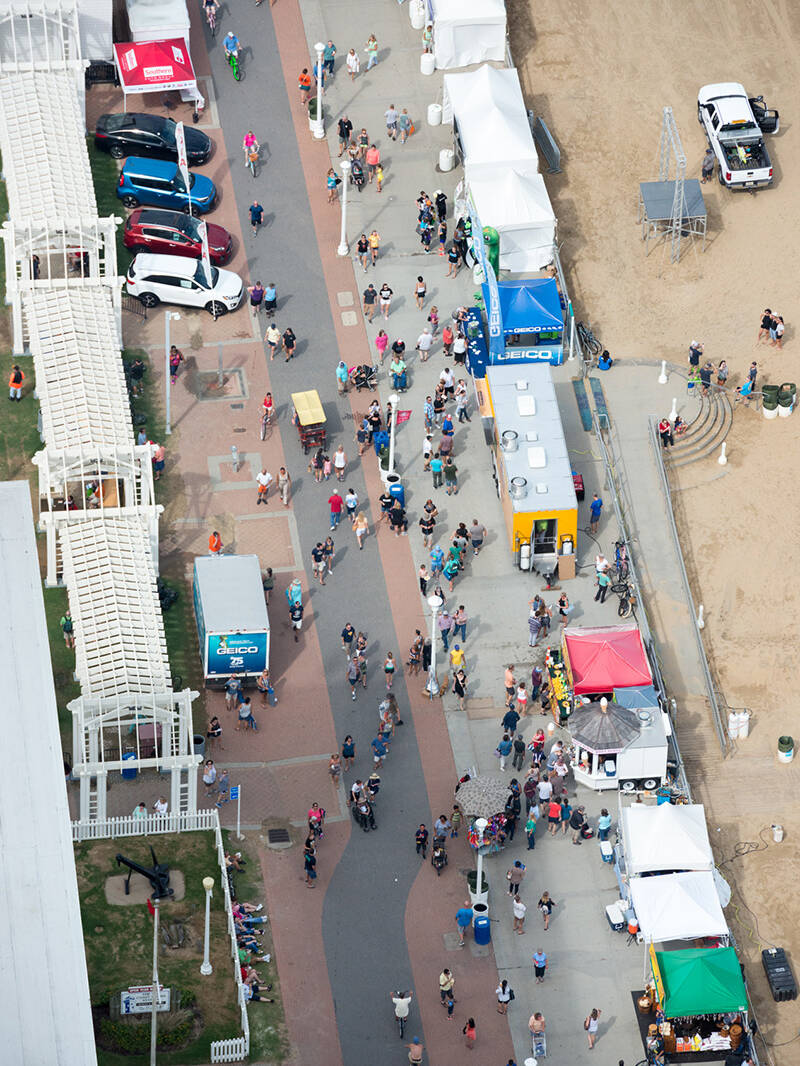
(666, 838)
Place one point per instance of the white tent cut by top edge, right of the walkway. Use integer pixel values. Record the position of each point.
(468, 31)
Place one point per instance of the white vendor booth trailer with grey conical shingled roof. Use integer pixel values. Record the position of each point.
(617, 746)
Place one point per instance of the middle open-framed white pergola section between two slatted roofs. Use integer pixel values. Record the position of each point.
(90, 483)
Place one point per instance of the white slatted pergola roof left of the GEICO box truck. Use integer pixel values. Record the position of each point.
(121, 649)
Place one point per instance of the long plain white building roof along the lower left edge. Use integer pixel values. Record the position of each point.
(45, 1016)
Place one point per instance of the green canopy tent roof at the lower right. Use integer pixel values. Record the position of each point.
(699, 981)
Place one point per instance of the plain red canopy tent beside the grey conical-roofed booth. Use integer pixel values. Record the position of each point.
(605, 658)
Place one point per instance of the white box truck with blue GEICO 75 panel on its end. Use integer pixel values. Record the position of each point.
(233, 621)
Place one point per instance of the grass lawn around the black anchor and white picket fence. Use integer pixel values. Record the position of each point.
(119, 945)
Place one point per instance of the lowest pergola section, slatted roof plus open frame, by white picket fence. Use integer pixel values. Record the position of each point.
(129, 717)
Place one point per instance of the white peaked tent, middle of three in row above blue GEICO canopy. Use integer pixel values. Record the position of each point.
(488, 109)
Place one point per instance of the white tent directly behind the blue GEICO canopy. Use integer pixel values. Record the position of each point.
(516, 203)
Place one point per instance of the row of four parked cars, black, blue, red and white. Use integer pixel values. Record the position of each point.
(163, 230)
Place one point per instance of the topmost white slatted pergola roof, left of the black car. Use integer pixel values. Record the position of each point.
(44, 148)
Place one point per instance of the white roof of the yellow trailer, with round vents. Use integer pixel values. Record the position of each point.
(524, 401)
